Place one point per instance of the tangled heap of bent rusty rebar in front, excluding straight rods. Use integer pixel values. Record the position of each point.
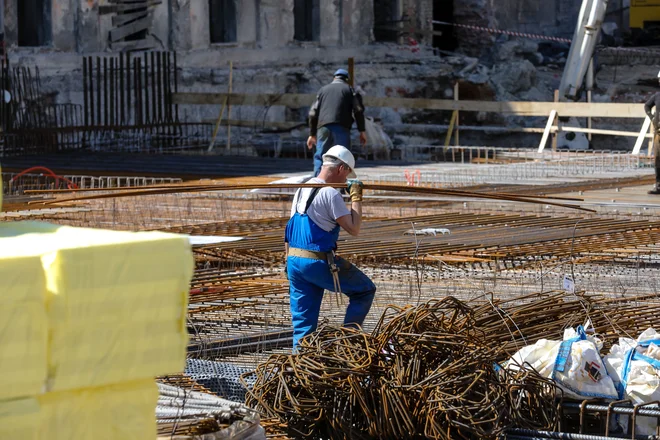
(424, 372)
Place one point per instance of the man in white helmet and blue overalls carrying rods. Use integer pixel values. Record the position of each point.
(311, 240)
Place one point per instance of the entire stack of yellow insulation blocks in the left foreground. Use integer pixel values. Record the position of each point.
(87, 319)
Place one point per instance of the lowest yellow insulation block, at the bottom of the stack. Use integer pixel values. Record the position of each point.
(117, 412)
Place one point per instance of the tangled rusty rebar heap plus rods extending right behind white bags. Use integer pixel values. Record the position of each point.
(432, 371)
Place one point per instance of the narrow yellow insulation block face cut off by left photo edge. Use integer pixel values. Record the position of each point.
(23, 327)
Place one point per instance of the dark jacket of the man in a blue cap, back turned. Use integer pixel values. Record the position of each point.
(336, 103)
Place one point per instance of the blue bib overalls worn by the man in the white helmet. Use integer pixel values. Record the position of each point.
(308, 278)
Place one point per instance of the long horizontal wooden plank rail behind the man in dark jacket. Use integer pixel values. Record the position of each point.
(520, 108)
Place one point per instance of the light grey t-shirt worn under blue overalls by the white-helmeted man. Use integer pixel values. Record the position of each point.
(326, 208)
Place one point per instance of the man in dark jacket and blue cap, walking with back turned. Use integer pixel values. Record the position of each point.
(331, 117)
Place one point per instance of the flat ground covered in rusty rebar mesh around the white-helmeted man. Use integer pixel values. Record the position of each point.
(494, 250)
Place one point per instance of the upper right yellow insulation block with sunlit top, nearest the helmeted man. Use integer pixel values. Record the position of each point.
(116, 301)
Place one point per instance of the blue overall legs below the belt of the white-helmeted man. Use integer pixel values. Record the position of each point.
(309, 278)
